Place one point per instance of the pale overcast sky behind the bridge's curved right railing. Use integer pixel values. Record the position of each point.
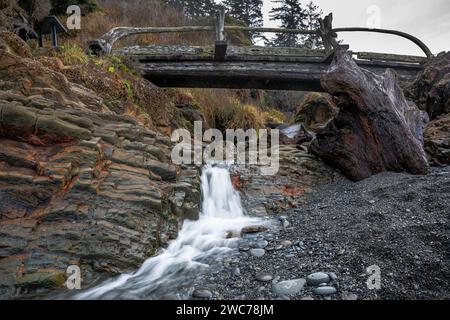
(428, 20)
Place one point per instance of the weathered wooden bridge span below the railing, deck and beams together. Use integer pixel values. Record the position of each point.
(251, 67)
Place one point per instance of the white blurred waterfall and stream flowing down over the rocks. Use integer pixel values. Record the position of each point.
(199, 243)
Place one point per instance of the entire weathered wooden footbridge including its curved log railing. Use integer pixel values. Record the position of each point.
(254, 67)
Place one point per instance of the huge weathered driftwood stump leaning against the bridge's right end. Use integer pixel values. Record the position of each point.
(376, 128)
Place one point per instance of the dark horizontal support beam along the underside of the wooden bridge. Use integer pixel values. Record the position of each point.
(301, 76)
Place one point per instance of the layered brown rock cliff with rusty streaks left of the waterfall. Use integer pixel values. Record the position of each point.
(79, 183)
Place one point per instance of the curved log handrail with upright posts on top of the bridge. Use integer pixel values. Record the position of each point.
(104, 44)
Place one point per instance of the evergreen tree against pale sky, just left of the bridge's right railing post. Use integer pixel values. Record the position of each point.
(292, 15)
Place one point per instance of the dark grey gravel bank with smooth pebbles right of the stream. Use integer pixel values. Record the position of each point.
(398, 222)
